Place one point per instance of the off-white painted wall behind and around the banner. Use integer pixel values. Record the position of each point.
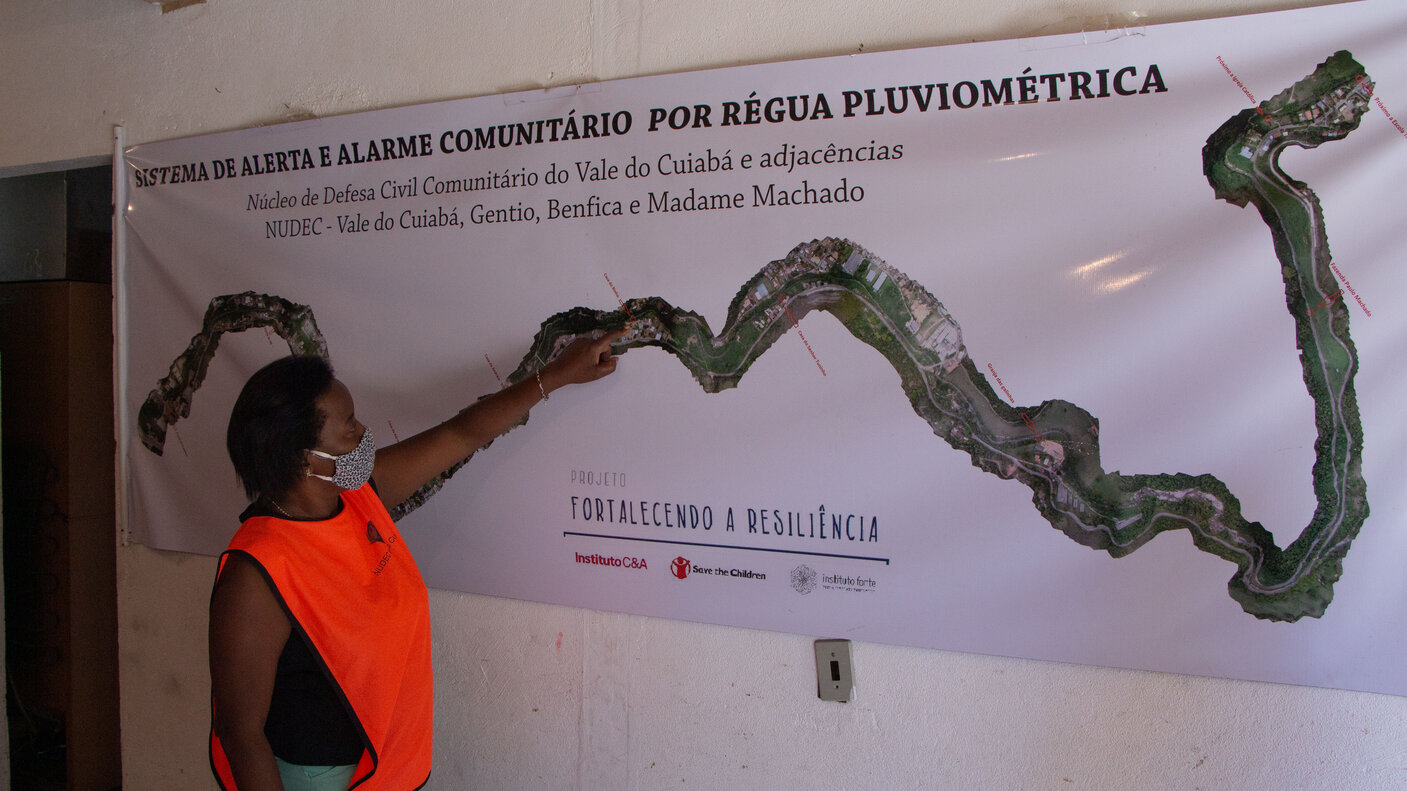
(548, 697)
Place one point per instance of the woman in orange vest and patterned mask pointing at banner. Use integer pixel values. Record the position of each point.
(320, 657)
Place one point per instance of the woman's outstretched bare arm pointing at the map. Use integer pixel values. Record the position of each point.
(405, 468)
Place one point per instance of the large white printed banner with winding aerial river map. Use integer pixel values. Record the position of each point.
(1074, 348)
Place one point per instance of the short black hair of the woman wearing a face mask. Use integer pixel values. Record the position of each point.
(275, 420)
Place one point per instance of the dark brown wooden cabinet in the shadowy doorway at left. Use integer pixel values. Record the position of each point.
(60, 530)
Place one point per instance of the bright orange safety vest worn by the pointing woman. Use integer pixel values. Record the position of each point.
(351, 586)
